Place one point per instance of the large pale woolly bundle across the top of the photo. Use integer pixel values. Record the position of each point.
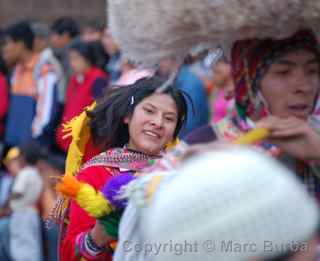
(153, 29)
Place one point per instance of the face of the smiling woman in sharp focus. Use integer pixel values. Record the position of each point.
(152, 124)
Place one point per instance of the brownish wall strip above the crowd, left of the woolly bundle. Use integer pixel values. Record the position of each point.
(49, 10)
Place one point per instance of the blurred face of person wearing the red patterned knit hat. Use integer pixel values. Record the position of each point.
(291, 85)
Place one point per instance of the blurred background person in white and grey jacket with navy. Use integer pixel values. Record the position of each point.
(50, 87)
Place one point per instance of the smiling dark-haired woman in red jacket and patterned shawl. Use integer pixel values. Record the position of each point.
(133, 125)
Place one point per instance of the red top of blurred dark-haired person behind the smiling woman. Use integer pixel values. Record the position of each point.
(80, 94)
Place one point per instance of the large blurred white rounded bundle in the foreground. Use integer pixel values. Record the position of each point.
(221, 201)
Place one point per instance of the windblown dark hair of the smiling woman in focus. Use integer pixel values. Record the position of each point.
(107, 119)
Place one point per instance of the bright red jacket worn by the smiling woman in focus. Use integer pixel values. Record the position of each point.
(79, 220)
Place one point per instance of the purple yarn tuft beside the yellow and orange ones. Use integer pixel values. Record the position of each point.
(113, 187)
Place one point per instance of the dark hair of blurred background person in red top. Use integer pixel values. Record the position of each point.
(93, 52)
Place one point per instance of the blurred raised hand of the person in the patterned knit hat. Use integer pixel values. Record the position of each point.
(294, 136)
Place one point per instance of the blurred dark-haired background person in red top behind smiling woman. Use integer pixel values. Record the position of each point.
(87, 83)
